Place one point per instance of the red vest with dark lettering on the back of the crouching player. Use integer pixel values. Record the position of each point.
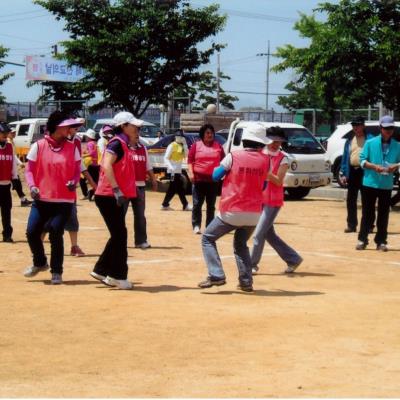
(242, 187)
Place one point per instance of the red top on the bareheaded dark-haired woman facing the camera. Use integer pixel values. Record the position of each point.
(206, 159)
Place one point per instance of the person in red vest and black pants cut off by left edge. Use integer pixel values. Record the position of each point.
(8, 172)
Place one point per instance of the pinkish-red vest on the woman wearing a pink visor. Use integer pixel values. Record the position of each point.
(54, 169)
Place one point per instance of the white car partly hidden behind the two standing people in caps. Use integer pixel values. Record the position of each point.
(335, 143)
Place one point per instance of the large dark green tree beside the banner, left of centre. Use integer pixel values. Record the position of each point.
(136, 52)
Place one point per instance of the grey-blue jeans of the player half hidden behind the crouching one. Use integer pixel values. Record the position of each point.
(265, 232)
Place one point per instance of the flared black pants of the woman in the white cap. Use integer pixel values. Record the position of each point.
(113, 260)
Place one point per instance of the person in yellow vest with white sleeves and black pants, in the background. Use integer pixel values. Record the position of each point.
(174, 155)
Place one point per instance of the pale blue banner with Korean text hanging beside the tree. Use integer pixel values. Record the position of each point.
(49, 69)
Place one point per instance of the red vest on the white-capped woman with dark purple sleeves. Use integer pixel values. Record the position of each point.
(124, 171)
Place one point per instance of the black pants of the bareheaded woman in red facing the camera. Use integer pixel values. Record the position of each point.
(204, 191)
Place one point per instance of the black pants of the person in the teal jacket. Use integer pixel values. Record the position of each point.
(369, 196)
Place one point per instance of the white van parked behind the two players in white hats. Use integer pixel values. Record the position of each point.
(309, 166)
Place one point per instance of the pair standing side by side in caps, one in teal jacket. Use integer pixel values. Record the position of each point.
(368, 165)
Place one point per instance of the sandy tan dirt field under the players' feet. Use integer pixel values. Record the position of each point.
(331, 330)
